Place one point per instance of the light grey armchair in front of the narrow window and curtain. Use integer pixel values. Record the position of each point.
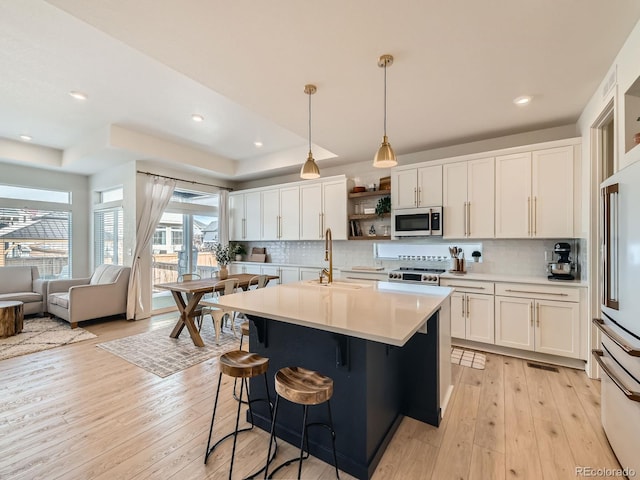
(104, 294)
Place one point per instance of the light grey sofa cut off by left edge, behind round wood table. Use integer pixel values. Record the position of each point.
(23, 283)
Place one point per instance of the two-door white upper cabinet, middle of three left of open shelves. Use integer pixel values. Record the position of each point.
(281, 213)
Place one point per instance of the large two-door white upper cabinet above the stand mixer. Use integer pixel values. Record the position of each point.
(534, 194)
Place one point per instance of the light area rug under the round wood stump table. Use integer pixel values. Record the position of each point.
(41, 334)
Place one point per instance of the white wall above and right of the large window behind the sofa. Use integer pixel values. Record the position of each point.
(66, 182)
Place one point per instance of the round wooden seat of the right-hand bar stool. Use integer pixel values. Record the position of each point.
(306, 387)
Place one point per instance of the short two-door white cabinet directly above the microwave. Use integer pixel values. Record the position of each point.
(416, 187)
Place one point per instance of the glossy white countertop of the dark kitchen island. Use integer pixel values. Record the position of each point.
(384, 312)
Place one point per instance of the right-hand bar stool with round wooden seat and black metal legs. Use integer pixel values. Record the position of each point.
(304, 387)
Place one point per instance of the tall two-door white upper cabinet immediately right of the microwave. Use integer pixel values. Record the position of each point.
(468, 199)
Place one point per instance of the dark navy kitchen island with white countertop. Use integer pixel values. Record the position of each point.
(385, 345)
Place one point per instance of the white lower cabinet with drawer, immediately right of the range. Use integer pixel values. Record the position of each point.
(472, 312)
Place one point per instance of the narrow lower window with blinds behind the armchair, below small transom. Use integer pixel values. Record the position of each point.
(109, 236)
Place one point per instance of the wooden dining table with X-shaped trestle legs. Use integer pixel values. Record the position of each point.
(187, 295)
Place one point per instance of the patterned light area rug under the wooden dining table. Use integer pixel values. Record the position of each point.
(162, 355)
